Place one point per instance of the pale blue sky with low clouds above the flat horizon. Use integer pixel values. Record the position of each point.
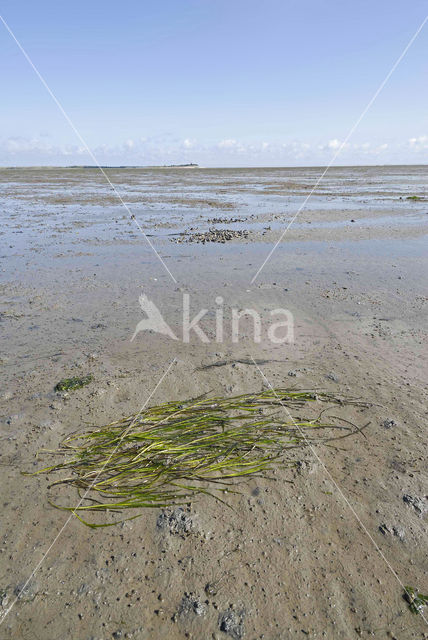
(218, 82)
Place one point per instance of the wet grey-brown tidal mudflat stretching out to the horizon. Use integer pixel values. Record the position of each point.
(321, 549)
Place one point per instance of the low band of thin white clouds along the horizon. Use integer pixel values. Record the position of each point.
(165, 148)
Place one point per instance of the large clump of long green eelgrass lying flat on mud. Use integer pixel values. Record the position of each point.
(168, 453)
